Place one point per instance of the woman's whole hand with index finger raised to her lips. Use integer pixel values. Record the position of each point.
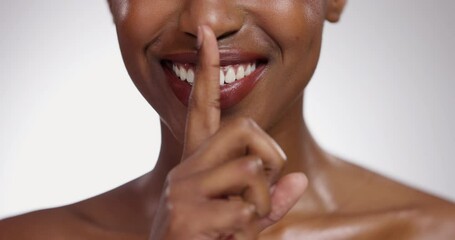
(227, 184)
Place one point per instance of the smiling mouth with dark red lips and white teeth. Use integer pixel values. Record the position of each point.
(239, 74)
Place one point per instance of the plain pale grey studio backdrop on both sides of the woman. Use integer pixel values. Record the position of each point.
(72, 125)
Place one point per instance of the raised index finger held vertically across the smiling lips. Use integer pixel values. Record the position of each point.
(203, 118)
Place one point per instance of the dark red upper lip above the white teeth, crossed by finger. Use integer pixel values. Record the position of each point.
(227, 57)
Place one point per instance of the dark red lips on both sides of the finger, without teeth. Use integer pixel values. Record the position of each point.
(230, 94)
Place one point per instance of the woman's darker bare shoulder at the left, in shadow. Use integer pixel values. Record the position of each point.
(89, 219)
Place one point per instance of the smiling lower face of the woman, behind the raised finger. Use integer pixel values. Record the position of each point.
(275, 42)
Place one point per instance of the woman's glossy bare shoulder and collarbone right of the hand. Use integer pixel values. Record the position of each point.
(355, 203)
